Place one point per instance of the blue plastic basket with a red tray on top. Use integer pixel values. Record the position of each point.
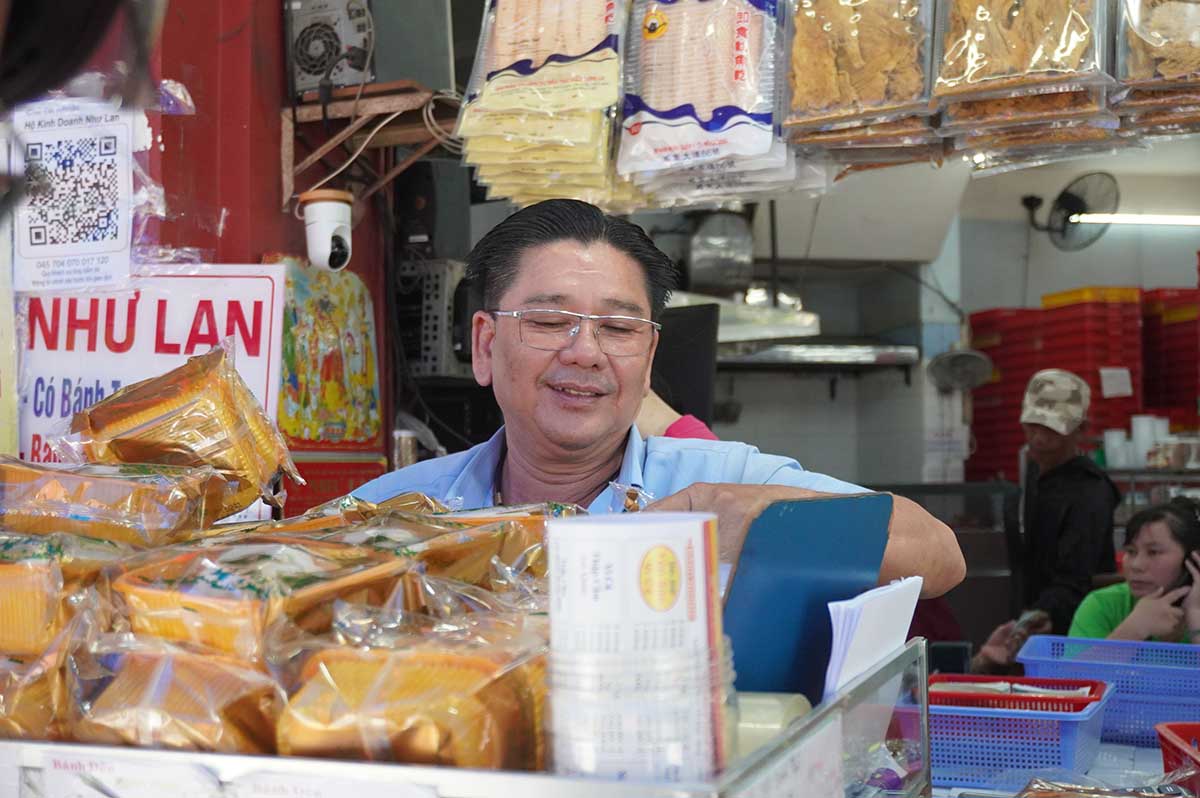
(1001, 749)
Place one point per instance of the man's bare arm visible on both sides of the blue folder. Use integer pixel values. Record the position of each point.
(919, 544)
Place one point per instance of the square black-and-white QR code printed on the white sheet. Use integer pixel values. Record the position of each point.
(74, 191)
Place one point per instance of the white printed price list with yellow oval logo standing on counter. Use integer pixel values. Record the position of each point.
(640, 674)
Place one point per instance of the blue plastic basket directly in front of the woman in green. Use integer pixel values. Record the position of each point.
(1154, 683)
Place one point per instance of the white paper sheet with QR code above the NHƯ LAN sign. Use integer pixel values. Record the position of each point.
(74, 225)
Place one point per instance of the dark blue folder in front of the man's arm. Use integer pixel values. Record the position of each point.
(797, 559)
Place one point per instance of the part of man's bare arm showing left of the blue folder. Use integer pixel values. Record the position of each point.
(736, 507)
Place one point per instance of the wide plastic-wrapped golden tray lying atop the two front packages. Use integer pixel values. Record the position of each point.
(225, 597)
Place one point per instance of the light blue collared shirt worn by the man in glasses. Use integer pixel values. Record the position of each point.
(659, 466)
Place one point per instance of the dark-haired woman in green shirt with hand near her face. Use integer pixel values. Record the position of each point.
(1161, 596)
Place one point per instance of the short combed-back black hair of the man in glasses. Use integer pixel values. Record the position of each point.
(493, 266)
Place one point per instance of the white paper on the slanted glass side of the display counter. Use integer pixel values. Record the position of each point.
(813, 770)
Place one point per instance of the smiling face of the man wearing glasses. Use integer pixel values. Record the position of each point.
(579, 398)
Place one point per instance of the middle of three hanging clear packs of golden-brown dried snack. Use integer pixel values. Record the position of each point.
(1007, 49)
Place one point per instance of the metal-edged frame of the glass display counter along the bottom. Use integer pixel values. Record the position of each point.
(897, 688)
